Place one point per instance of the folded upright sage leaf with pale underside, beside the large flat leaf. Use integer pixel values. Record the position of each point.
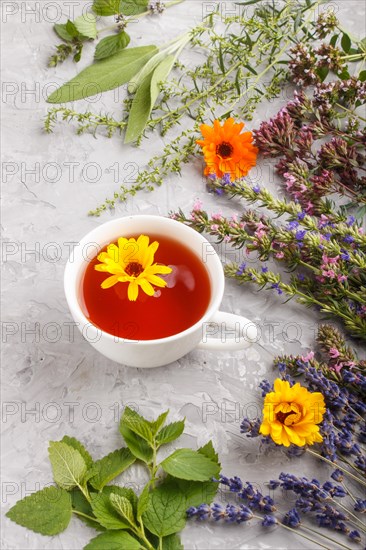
(145, 98)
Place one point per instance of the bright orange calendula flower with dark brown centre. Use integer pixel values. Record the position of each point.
(226, 150)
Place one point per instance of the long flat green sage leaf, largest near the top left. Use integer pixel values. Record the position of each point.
(104, 75)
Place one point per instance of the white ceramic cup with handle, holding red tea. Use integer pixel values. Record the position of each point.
(235, 332)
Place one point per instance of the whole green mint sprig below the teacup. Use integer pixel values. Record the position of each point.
(125, 521)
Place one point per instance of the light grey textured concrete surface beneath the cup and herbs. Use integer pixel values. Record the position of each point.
(53, 382)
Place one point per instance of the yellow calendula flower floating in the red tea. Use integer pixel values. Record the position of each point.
(132, 262)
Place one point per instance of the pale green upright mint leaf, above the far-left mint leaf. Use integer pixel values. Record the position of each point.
(68, 465)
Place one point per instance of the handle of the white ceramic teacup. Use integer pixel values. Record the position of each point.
(235, 332)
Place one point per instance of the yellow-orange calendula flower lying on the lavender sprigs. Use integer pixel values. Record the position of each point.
(292, 415)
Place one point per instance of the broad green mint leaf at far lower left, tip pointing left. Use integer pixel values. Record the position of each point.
(47, 512)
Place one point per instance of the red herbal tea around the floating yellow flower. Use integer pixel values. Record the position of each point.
(171, 310)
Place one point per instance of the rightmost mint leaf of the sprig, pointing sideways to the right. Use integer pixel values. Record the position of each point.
(190, 465)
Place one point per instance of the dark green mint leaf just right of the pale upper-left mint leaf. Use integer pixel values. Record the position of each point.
(109, 467)
